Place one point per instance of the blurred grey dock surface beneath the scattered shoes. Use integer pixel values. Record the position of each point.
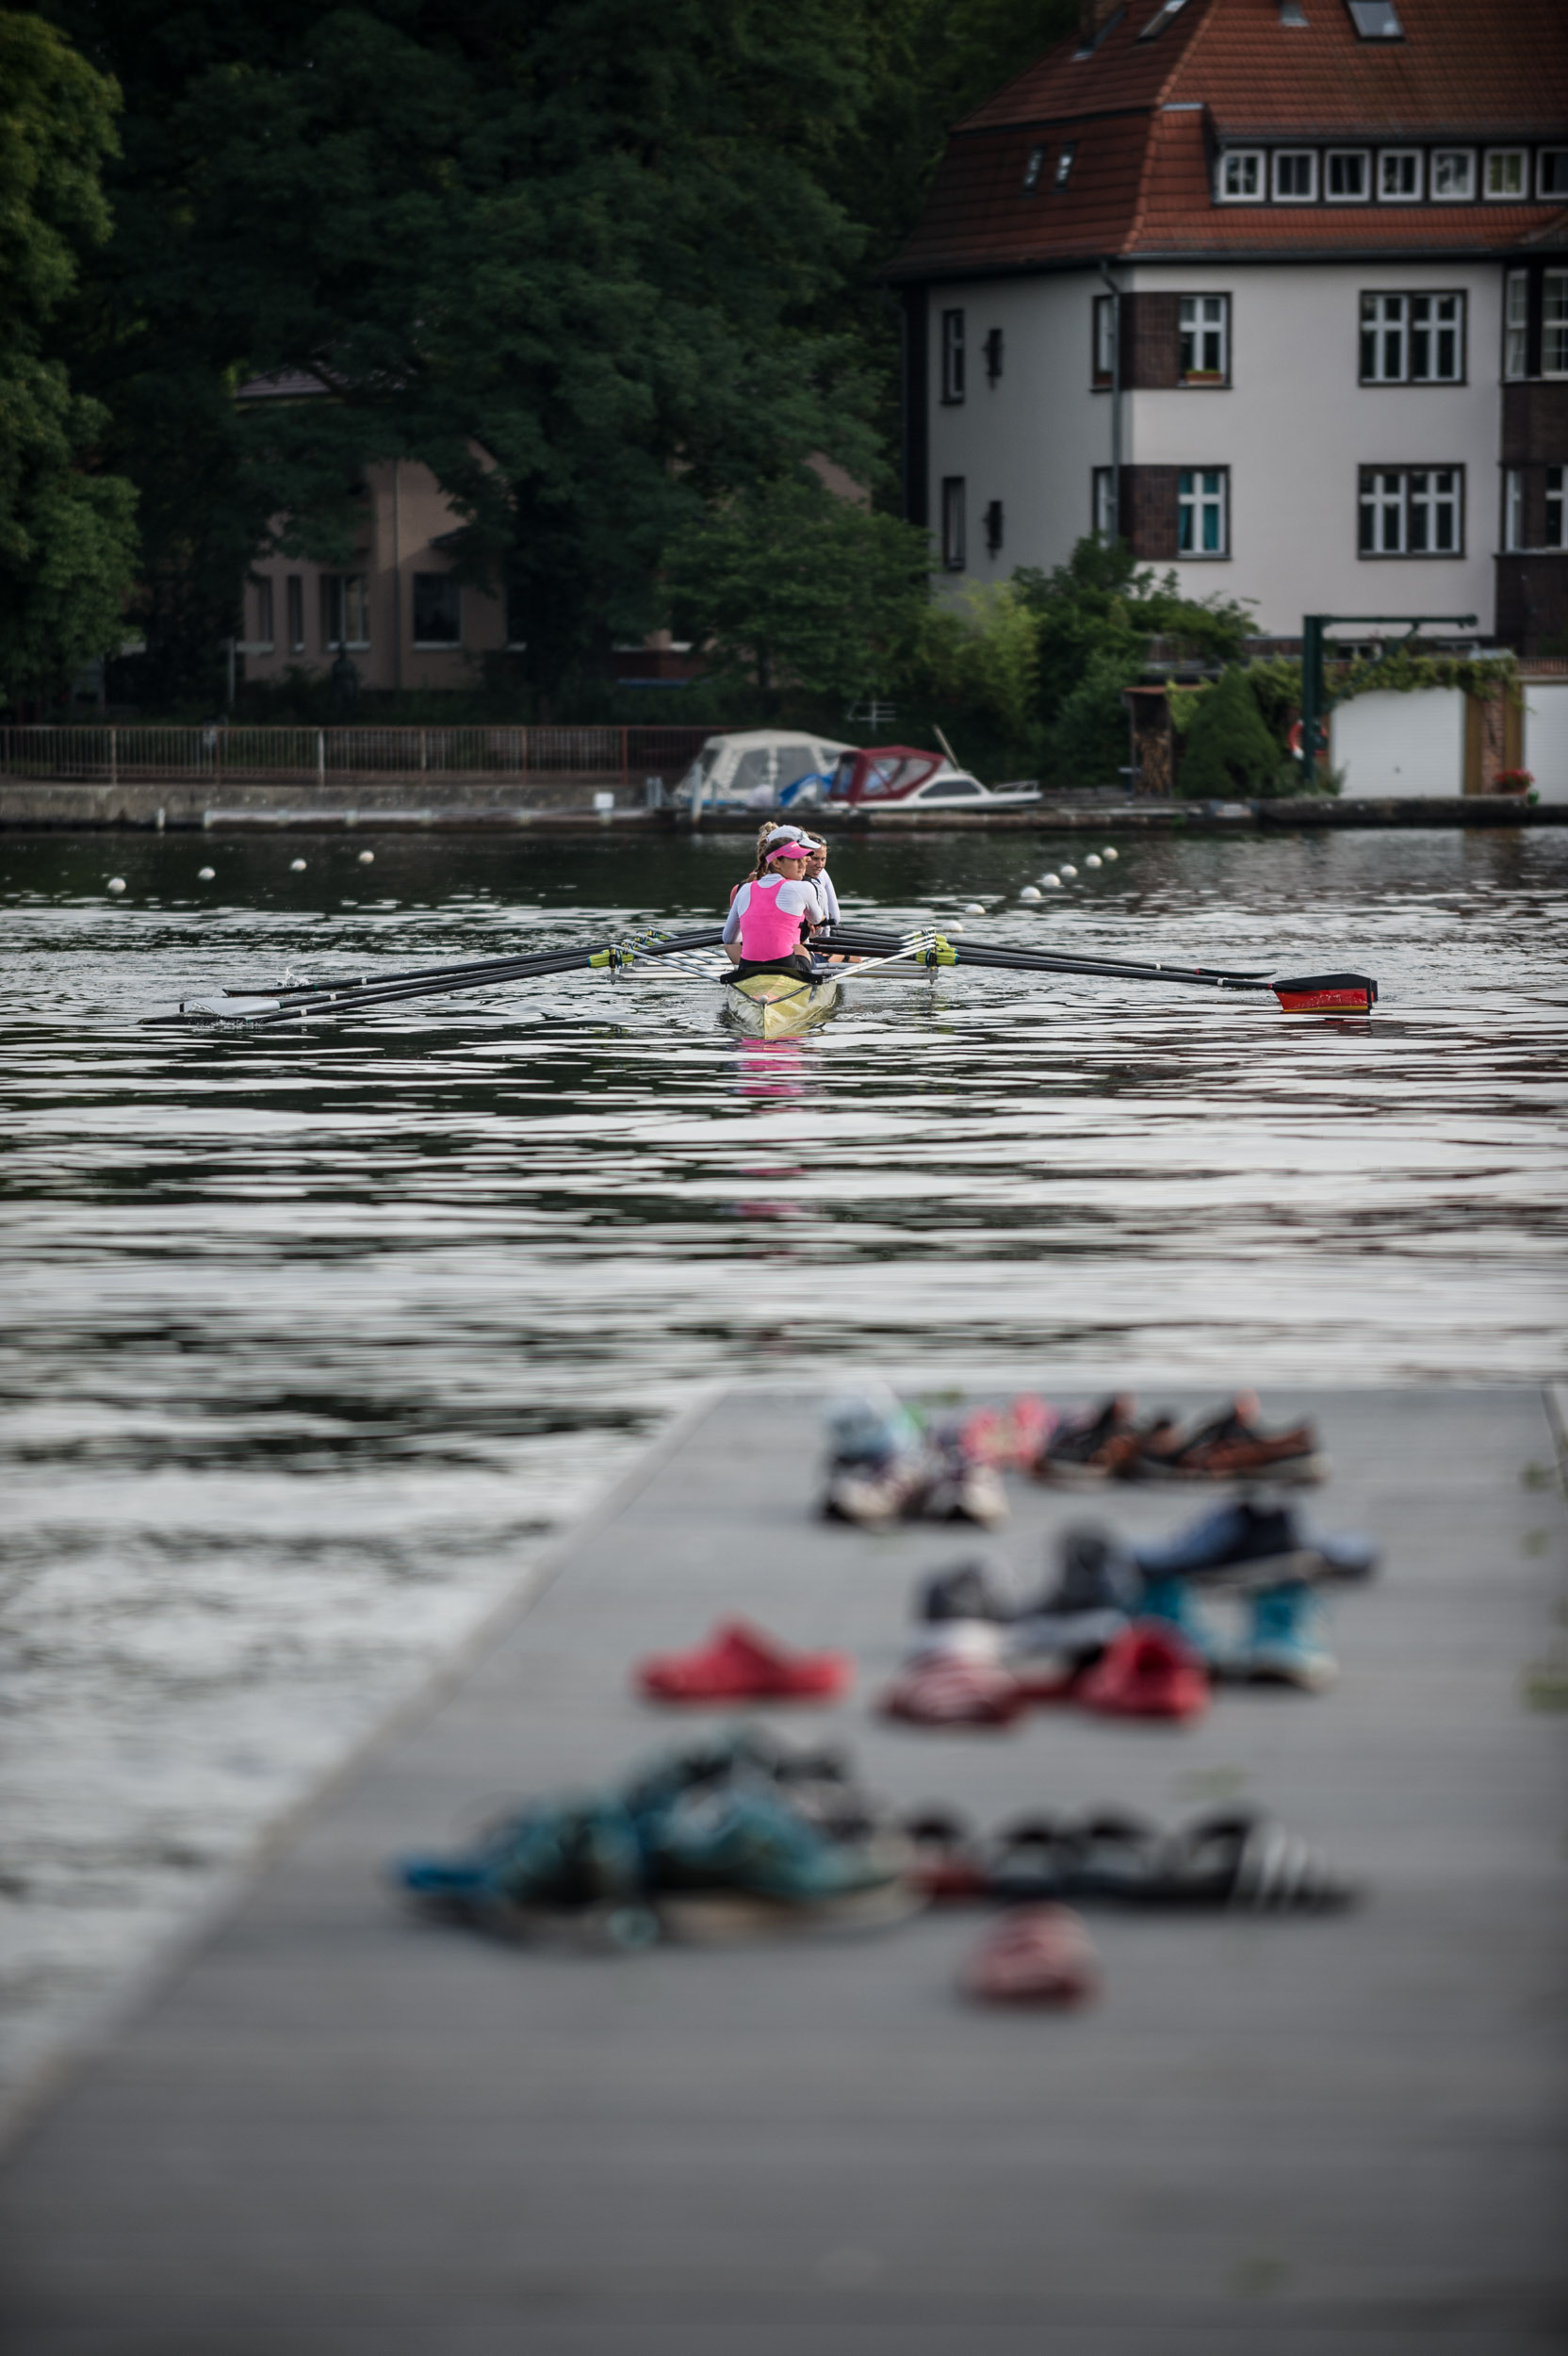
(340, 2131)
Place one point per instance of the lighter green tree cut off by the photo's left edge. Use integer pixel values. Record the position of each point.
(65, 527)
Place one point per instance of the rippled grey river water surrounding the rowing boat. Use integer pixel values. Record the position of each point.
(312, 1337)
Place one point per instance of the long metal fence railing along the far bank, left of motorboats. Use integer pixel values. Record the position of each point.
(211, 755)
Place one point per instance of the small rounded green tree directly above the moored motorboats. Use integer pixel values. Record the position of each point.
(797, 588)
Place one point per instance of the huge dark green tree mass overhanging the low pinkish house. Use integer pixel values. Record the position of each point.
(573, 258)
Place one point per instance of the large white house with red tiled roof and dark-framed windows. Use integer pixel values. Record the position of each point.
(1275, 289)
